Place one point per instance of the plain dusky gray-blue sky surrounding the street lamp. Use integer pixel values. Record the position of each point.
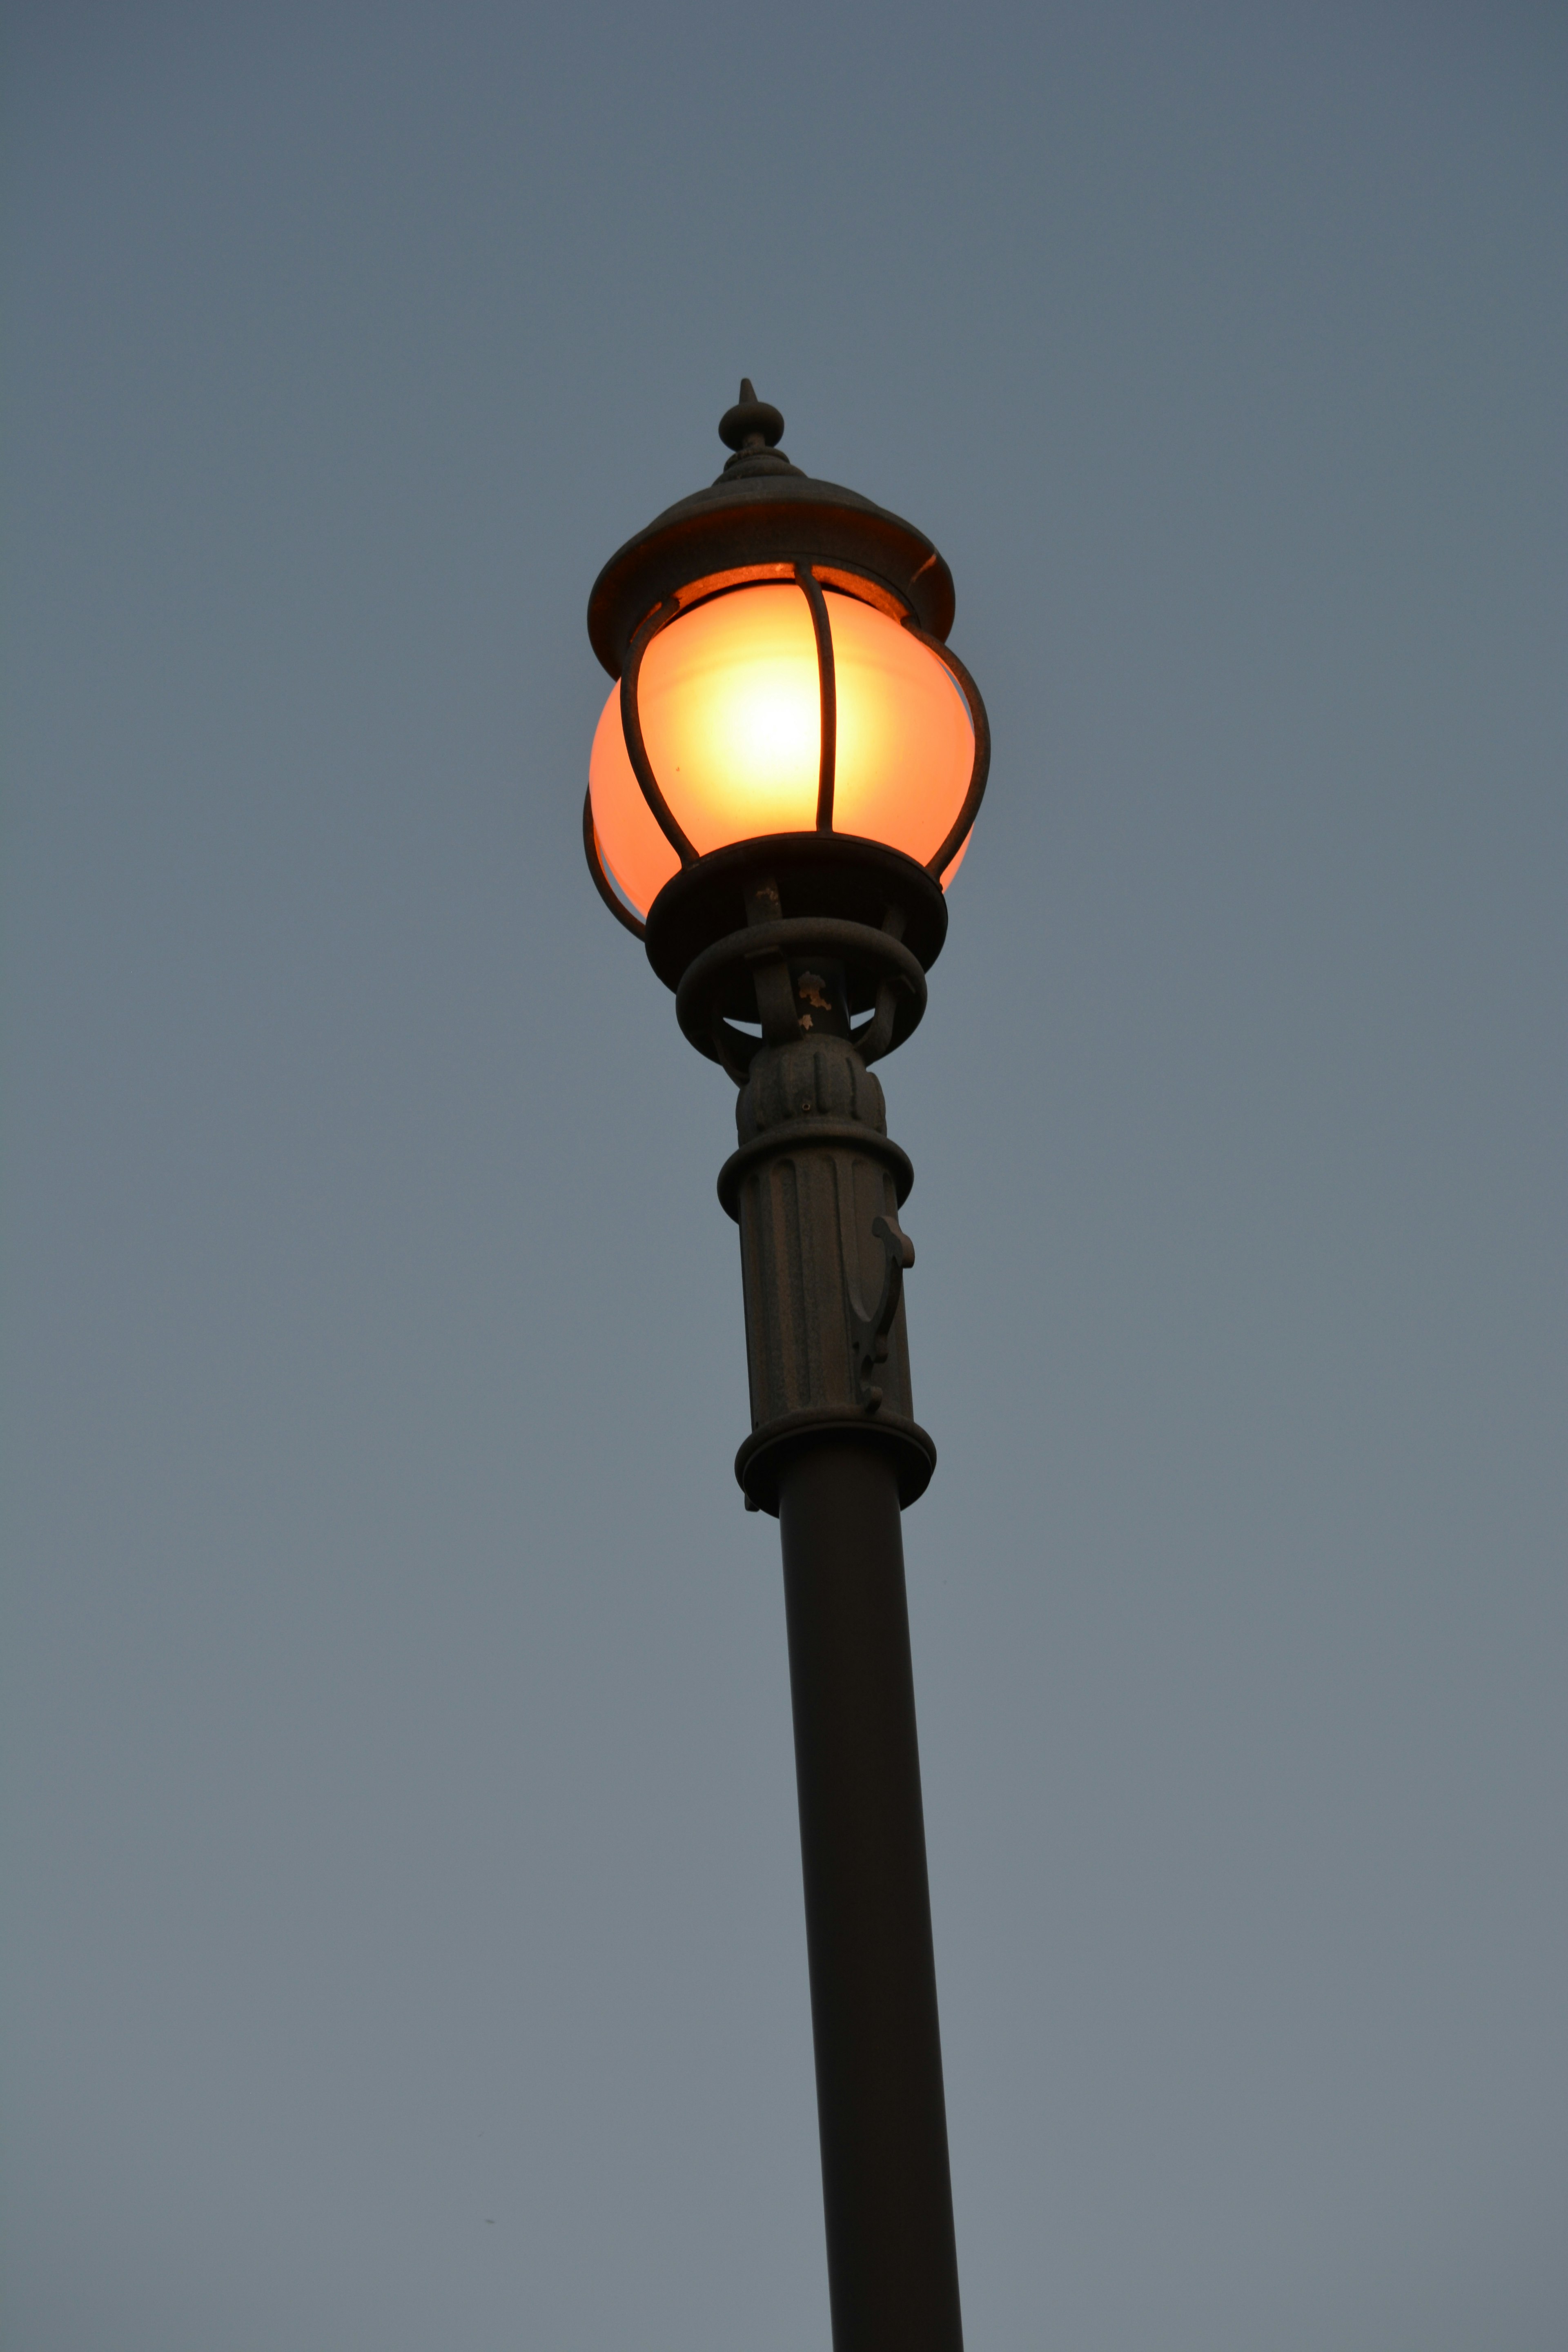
(403, 1906)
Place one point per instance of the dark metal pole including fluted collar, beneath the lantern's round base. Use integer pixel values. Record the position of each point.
(836, 1452)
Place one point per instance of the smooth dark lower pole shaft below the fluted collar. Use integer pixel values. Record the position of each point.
(892, 2259)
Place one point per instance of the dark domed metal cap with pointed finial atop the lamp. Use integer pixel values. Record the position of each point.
(763, 512)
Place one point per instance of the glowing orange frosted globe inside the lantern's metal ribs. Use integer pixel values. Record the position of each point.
(732, 719)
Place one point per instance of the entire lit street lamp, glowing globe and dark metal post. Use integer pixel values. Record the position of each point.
(782, 787)
